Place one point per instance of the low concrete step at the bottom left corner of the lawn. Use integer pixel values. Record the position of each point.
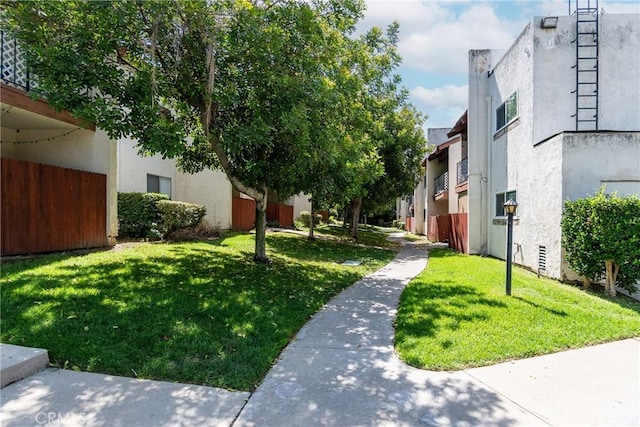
(18, 362)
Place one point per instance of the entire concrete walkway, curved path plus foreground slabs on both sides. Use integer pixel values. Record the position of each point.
(341, 370)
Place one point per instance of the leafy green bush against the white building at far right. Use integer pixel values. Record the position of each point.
(601, 237)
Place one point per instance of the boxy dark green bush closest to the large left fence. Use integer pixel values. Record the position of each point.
(138, 215)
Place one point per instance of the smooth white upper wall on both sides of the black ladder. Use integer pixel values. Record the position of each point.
(554, 78)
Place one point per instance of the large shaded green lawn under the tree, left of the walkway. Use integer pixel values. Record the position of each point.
(195, 312)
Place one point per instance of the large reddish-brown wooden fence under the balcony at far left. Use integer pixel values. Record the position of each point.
(47, 208)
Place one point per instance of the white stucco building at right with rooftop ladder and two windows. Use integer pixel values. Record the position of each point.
(553, 118)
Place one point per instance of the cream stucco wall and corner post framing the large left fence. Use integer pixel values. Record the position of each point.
(82, 149)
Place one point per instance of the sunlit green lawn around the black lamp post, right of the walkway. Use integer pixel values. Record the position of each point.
(456, 315)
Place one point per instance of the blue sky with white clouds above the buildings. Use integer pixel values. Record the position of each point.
(435, 37)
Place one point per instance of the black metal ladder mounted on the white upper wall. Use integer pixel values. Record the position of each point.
(586, 66)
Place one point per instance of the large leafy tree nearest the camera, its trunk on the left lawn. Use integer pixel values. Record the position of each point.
(229, 84)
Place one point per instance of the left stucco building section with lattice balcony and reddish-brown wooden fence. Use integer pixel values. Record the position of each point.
(59, 188)
